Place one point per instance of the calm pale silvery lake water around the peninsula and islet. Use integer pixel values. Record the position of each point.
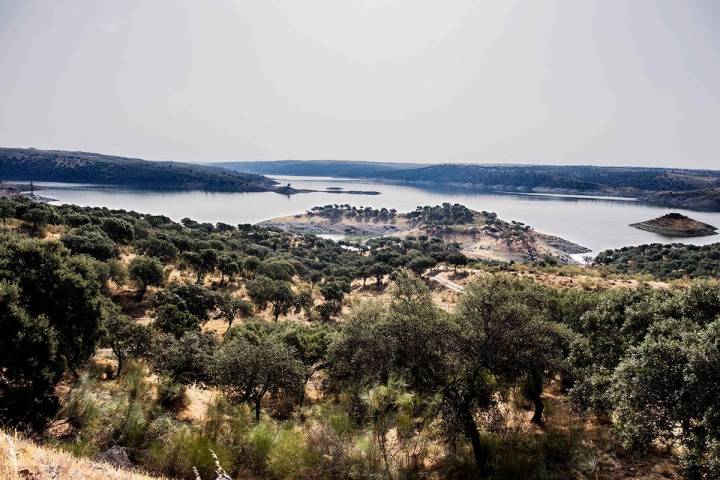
(595, 223)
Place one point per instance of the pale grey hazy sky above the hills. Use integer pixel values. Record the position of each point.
(567, 82)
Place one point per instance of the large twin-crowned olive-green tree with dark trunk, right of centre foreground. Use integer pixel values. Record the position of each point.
(493, 343)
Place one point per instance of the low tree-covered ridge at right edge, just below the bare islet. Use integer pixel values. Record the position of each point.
(665, 261)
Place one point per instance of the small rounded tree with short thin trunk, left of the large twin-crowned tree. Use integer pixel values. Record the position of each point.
(247, 372)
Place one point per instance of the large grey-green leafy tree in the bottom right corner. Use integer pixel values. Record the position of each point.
(668, 388)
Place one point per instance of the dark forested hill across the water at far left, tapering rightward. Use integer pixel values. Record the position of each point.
(82, 167)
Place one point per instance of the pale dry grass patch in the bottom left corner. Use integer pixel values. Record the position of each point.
(23, 459)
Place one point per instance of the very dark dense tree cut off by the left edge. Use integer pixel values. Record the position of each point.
(52, 306)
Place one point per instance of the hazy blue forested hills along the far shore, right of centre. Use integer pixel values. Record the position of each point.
(690, 189)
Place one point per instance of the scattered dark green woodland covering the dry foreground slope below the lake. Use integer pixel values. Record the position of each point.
(172, 348)
